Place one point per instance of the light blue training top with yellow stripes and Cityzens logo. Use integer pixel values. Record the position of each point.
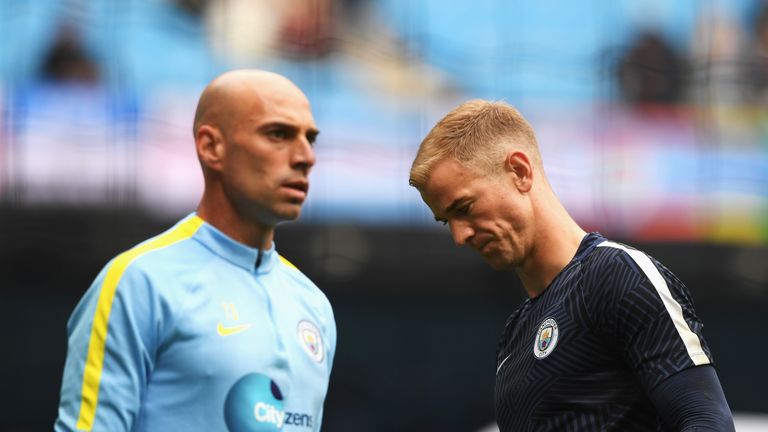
(184, 333)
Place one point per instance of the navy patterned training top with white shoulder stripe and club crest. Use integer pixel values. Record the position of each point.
(586, 354)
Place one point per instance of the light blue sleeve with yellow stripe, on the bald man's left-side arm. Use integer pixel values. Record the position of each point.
(111, 347)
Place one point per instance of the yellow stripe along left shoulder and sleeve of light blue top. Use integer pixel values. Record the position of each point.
(97, 342)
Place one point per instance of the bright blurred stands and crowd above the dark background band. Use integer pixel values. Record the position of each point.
(97, 97)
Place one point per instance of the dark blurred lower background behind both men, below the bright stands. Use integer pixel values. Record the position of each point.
(418, 319)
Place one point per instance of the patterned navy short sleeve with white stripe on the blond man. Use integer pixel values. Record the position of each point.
(648, 315)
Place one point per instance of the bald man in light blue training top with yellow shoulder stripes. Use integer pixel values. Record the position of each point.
(205, 326)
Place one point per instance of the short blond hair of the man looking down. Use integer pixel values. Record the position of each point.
(477, 134)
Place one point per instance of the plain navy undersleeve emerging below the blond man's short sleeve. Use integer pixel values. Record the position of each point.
(693, 400)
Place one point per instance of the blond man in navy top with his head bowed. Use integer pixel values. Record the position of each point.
(608, 339)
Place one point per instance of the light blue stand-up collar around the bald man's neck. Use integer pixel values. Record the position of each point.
(233, 251)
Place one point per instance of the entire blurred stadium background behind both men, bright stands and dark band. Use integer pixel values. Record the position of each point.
(652, 116)
